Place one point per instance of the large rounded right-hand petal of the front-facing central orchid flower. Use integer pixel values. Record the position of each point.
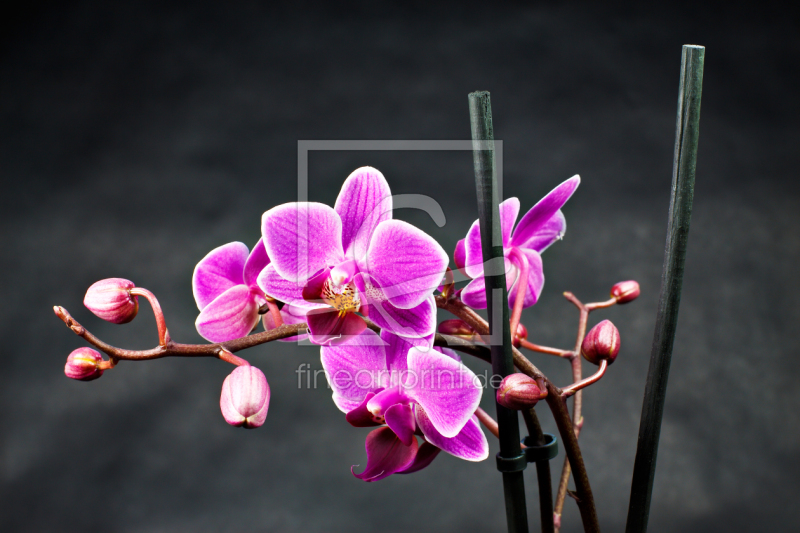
(407, 262)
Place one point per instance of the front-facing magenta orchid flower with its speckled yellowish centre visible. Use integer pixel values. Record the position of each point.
(352, 258)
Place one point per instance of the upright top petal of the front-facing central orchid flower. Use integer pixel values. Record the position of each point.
(364, 202)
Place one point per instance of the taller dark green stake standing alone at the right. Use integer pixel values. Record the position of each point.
(686, 136)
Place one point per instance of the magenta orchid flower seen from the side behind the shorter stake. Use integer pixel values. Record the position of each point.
(538, 229)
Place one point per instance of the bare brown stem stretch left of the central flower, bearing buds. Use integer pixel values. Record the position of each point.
(173, 349)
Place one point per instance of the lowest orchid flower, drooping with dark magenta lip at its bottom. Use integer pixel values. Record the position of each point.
(400, 382)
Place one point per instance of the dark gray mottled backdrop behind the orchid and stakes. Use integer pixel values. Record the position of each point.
(136, 139)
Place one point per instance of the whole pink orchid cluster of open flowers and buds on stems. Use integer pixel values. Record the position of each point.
(361, 285)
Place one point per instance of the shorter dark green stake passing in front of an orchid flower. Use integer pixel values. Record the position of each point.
(510, 461)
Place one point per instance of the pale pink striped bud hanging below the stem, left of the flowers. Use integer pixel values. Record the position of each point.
(245, 397)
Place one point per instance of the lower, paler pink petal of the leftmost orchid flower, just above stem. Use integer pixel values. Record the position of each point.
(233, 314)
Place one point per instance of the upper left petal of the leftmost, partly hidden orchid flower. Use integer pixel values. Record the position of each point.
(218, 271)
